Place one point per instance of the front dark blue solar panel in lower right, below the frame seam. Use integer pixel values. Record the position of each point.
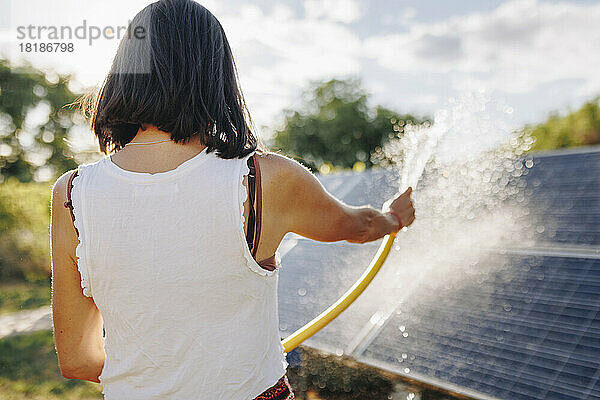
(536, 335)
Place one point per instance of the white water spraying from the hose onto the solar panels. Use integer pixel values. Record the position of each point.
(469, 199)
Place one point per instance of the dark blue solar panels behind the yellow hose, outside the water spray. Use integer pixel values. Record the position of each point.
(527, 326)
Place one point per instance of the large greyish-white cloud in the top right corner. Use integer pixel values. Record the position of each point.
(515, 47)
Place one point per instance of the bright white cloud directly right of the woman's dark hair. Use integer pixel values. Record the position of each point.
(278, 53)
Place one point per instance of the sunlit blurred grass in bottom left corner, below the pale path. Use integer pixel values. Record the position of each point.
(29, 370)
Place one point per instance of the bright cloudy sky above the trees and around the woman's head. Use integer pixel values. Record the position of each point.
(411, 55)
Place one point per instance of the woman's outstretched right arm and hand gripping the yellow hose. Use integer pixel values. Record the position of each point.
(312, 212)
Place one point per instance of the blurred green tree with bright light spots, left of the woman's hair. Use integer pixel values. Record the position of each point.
(34, 123)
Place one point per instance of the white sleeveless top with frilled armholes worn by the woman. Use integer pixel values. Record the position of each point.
(188, 313)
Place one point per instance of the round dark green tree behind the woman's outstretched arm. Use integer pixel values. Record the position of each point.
(336, 126)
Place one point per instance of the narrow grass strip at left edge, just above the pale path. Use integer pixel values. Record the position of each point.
(21, 295)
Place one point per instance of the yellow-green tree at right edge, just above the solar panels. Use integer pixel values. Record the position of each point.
(577, 128)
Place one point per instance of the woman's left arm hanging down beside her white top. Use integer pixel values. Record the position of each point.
(77, 321)
